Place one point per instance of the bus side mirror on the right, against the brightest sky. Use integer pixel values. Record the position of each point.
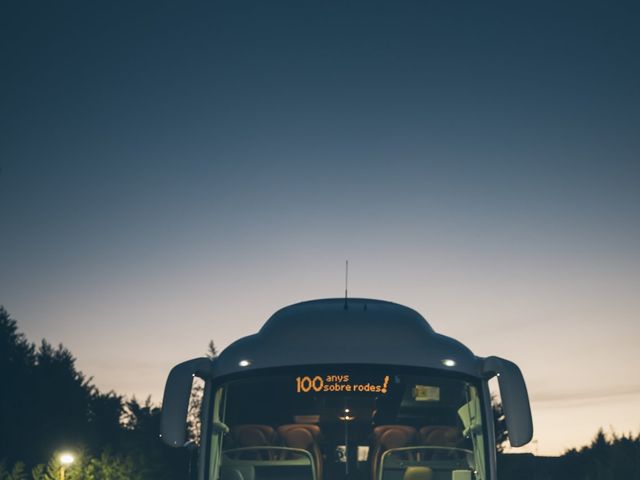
(515, 399)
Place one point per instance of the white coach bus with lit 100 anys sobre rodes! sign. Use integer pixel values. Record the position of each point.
(346, 389)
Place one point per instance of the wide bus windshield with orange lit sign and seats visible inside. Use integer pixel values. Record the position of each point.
(348, 423)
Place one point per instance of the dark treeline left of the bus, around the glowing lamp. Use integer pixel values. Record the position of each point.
(47, 405)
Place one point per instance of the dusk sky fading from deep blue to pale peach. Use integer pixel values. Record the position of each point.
(172, 173)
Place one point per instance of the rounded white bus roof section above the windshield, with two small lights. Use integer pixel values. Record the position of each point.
(336, 331)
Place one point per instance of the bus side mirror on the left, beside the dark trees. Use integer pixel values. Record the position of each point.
(175, 403)
